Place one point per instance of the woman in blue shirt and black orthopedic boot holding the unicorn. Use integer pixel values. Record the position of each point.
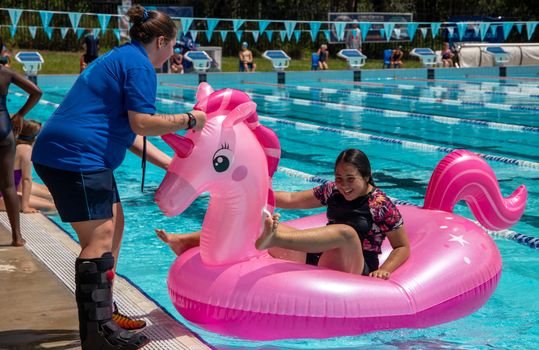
(86, 138)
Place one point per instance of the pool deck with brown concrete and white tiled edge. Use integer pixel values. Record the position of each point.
(37, 294)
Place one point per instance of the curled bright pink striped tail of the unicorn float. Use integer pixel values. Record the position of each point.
(464, 175)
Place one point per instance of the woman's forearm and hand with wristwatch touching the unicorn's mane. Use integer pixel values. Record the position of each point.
(159, 124)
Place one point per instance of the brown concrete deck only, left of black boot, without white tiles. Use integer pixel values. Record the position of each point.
(38, 311)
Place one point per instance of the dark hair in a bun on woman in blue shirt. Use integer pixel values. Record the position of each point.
(147, 25)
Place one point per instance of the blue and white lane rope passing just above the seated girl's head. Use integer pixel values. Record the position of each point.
(365, 136)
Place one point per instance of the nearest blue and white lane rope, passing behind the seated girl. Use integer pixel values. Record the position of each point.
(532, 242)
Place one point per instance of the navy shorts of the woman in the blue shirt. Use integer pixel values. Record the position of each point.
(81, 196)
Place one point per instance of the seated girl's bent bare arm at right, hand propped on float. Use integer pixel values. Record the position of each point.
(400, 253)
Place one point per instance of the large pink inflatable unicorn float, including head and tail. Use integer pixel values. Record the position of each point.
(229, 287)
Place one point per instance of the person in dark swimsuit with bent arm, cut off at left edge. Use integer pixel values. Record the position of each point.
(9, 128)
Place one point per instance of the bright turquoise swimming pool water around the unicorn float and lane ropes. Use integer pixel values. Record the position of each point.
(412, 145)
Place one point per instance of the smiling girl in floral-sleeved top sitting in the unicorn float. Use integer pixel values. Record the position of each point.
(360, 216)
